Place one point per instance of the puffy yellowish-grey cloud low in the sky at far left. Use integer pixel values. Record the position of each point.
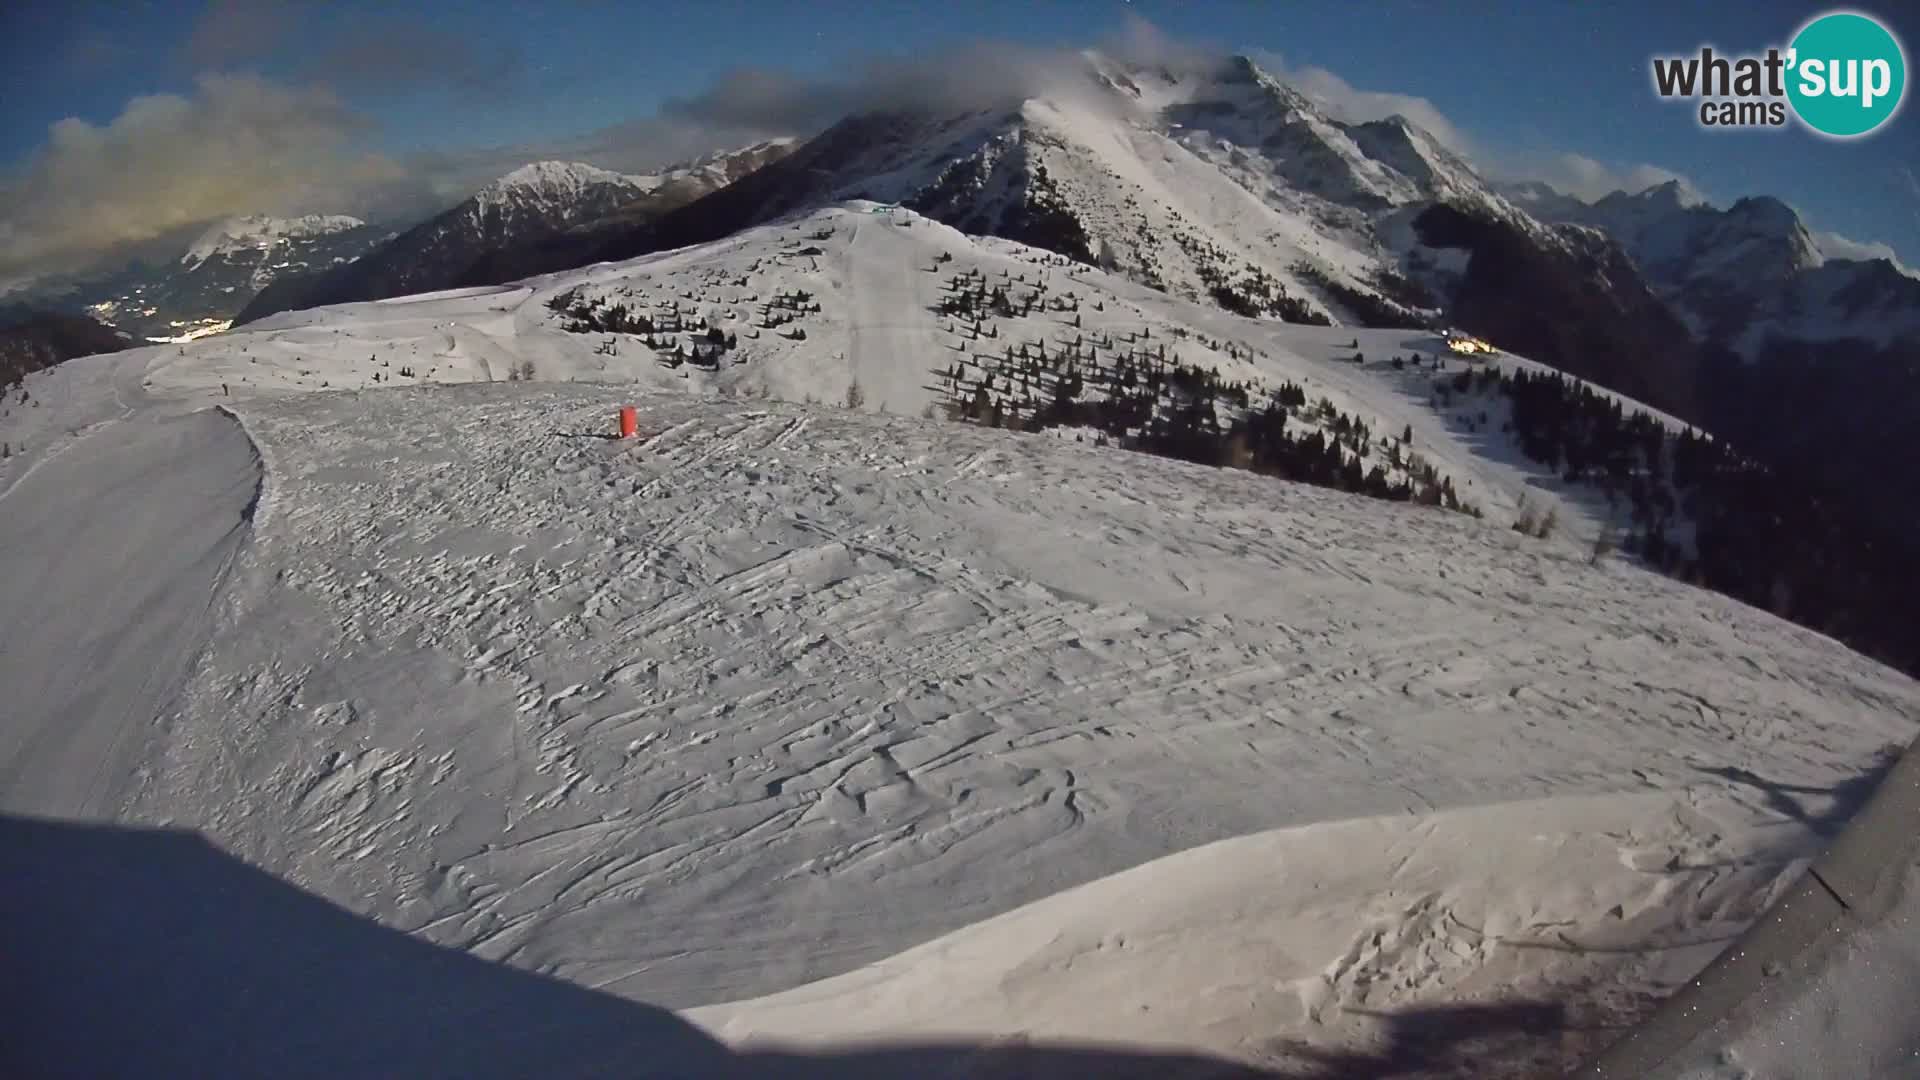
(237, 145)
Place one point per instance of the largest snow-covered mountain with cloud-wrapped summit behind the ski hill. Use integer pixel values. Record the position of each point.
(1209, 180)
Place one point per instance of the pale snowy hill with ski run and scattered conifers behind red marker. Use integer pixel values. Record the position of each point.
(875, 280)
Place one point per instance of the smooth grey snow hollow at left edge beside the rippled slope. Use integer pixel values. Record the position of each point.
(116, 552)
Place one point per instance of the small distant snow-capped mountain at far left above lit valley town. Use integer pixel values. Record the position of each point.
(216, 278)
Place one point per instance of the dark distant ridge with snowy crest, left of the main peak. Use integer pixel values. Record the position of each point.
(539, 218)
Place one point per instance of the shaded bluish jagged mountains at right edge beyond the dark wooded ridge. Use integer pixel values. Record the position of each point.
(1813, 362)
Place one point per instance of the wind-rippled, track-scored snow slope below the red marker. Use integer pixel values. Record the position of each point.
(784, 693)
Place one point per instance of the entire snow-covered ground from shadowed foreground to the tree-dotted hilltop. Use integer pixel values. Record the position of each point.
(792, 741)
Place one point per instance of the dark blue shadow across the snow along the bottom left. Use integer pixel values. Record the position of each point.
(151, 952)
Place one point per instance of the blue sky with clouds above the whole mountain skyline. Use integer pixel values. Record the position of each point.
(425, 101)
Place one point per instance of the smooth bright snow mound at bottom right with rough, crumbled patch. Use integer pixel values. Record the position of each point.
(1410, 946)
